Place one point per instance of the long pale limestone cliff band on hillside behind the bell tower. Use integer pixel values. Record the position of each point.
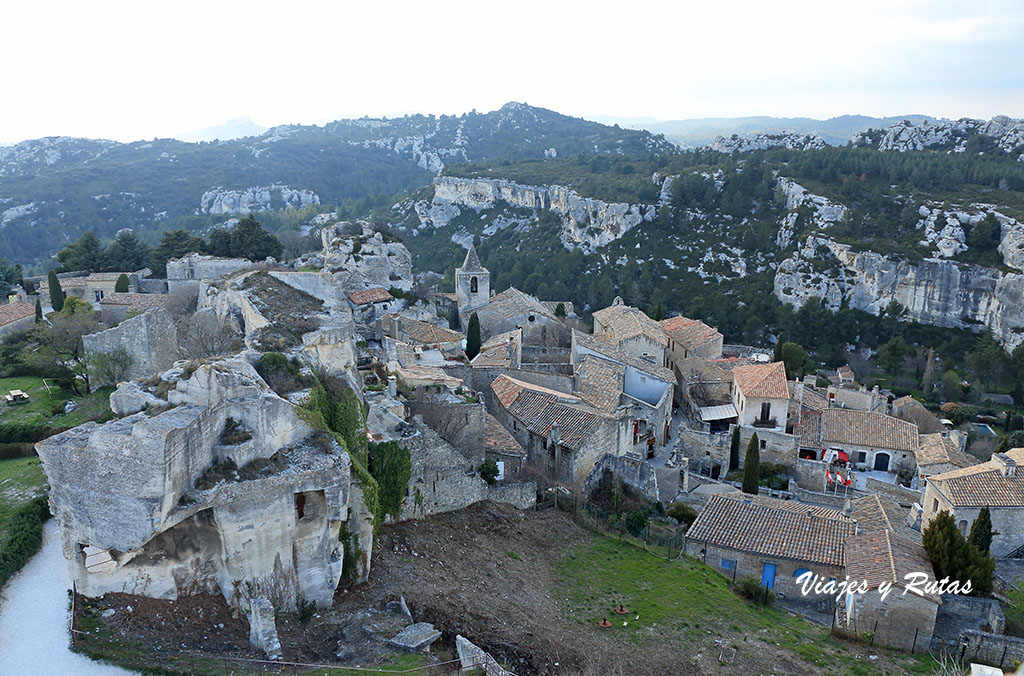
(587, 223)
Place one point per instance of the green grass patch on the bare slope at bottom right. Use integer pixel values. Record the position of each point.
(692, 604)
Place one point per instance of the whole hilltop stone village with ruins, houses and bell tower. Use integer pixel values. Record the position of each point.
(215, 478)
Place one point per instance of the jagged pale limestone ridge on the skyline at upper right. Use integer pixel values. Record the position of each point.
(1008, 133)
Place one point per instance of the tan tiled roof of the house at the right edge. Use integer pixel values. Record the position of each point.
(985, 485)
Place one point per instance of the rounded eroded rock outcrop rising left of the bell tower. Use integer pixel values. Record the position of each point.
(360, 259)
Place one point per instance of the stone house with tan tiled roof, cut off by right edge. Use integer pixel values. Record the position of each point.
(995, 485)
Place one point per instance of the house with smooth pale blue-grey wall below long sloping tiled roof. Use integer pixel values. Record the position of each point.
(647, 387)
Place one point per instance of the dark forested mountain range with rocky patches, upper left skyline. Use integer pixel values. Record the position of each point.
(55, 189)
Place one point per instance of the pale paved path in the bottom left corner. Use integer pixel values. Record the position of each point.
(35, 619)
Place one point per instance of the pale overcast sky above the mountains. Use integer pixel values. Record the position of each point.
(133, 71)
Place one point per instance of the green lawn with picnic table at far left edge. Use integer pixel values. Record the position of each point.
(38, 411)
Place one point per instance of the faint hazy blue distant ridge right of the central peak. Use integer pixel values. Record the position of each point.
(702, 132)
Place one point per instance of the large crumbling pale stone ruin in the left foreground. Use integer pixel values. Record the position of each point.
(210, 483)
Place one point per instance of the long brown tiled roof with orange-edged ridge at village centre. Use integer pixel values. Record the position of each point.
(540, 409)
